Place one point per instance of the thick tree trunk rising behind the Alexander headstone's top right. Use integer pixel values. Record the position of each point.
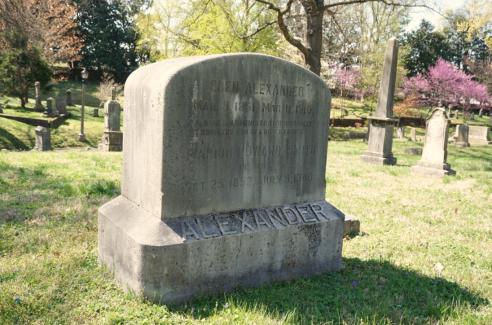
(314, 34)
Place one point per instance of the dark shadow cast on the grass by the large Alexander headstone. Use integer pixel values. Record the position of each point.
(365, 291)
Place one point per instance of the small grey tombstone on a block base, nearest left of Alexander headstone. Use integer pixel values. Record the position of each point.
(112, 139)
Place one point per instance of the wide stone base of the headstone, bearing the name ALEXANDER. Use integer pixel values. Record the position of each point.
(178, 260)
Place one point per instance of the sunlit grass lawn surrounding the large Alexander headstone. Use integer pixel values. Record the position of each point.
(424, 256)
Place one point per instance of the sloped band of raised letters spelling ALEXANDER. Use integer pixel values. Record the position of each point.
(244, 221)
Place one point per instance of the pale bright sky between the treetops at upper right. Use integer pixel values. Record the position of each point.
(417, 14)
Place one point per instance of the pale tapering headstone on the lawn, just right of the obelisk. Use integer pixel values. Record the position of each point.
(435, 152)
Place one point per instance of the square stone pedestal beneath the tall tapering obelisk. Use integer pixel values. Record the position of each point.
(380, 142)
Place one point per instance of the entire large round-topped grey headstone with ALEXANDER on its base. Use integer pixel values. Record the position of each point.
(223, 178)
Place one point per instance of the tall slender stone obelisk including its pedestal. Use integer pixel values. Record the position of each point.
(381, 124)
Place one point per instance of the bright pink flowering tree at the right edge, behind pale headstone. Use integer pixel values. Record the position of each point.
(446, 84)
